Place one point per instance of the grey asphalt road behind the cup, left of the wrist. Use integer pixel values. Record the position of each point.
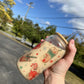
(10, 51)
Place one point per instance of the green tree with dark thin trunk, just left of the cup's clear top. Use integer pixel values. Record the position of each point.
(31, 32)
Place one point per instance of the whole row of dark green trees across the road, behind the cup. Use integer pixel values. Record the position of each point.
(32, 31)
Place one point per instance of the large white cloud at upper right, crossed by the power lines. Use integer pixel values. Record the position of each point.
(74, 7)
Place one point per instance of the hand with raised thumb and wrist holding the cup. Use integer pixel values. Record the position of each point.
(56, 73)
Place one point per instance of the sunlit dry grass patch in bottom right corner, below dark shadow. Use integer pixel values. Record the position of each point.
(73, 79)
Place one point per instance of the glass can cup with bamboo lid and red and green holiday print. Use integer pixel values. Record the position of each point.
(41, 57)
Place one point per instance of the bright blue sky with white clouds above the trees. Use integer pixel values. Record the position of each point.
(46, 11)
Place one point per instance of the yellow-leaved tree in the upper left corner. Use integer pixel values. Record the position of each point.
(5, 10)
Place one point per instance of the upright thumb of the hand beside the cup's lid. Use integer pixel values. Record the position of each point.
(69, 57)
